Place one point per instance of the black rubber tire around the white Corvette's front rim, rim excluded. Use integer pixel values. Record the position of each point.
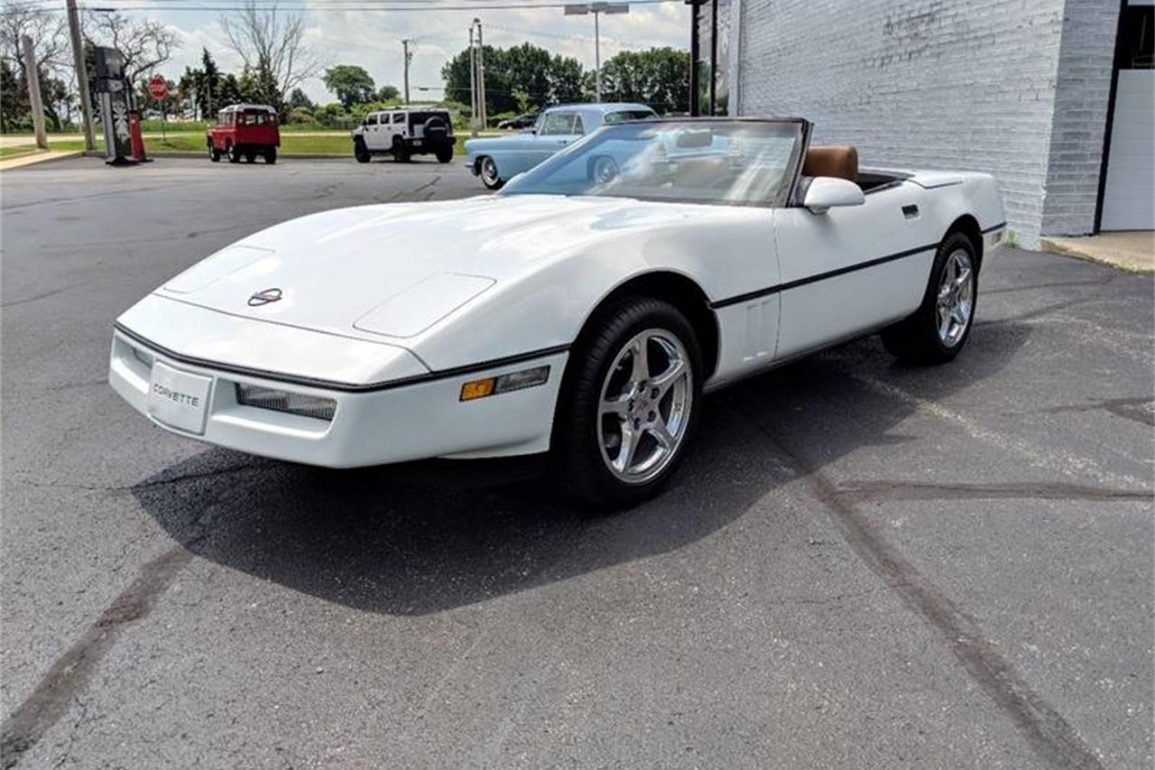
(579, 455)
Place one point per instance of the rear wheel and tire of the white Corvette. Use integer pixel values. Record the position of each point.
(937, 332)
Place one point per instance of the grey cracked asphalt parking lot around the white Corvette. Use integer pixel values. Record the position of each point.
(861, 566)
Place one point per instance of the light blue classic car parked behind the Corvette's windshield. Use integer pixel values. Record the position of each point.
(498, 160)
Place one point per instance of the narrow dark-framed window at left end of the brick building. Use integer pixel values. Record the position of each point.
(710, 58)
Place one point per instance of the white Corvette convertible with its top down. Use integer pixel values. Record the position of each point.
(584, 311)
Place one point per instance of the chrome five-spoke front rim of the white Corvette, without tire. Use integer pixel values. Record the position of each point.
(644, 412)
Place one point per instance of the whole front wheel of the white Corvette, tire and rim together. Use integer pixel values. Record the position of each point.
(629, 405)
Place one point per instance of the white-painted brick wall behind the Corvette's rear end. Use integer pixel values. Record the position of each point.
(959, 85)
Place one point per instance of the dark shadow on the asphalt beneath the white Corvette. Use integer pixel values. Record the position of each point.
(426, 537)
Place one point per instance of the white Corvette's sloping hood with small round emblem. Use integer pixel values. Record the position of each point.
(394, 271)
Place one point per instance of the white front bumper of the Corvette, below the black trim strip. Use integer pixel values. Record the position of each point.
(389, 424)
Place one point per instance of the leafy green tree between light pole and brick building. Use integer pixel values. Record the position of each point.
(657, 77)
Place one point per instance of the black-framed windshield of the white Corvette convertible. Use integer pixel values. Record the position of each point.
(722, 162)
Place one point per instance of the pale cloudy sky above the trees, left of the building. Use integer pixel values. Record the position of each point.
(372, 39)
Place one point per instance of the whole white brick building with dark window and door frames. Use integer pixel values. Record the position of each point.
(1053, 98)
